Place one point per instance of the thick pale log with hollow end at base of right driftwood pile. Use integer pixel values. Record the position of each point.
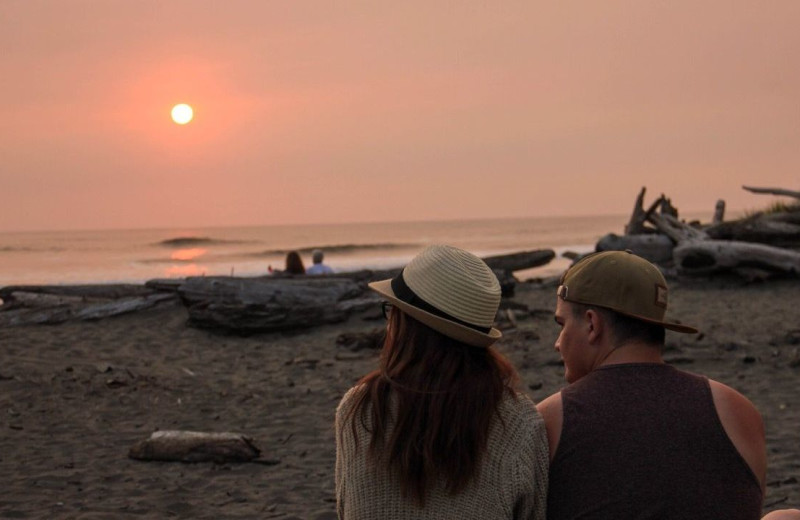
(711, 256)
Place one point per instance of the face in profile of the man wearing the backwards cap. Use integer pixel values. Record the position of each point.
(572, 342)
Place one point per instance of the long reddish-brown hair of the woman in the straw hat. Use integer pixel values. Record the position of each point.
(444, 395)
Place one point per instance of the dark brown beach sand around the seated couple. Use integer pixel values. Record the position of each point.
(75, 397)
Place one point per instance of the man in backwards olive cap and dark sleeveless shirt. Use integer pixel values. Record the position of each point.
(632, 437)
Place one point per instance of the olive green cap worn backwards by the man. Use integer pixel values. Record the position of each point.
(622, 282)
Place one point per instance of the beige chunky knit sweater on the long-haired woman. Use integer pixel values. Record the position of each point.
(510, 484)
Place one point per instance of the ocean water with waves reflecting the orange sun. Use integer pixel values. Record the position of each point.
(135, 256)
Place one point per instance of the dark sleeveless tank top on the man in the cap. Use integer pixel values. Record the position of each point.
(645, 441)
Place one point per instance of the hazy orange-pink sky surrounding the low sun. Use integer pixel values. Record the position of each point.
(323, 111)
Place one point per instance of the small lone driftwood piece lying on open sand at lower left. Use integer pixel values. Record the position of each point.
(187, 446)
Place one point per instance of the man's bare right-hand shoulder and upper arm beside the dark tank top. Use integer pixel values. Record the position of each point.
(744, 426)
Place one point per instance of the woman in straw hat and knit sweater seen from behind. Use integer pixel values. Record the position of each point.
(438, 430)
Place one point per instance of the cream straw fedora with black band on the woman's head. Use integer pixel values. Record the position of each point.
(451, 291)
